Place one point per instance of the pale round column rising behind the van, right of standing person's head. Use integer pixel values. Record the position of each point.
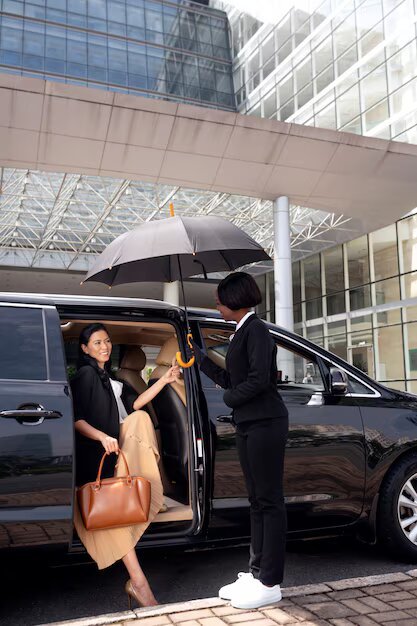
(283, 281)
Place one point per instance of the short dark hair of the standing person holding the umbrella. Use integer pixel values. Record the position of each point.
(239, 291)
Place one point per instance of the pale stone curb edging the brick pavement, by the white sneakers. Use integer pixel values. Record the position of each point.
(206, 603)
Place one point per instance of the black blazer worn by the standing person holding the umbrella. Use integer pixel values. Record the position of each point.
(250, 378)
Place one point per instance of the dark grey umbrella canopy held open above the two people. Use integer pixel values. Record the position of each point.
(174, 248)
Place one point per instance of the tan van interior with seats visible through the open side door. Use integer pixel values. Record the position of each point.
(142, 353)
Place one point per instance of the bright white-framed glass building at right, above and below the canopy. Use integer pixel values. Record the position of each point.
(352, 66)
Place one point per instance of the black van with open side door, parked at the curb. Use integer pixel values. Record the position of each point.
(351, 459)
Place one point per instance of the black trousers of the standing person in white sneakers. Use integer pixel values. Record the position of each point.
(261, 448)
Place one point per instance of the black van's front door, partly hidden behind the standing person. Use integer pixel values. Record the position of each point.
(324, 475)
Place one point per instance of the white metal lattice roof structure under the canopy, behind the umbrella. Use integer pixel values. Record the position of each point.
(61, 221)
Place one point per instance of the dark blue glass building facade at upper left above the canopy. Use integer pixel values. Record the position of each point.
(172, 50)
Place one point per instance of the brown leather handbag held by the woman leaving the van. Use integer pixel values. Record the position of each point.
(114, 502)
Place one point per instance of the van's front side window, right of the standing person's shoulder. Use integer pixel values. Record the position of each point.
(296, 369)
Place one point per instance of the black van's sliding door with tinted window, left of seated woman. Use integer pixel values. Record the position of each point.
(36, 429)
